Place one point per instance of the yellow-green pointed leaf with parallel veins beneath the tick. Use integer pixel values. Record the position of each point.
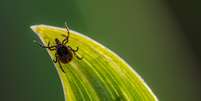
(100, 76)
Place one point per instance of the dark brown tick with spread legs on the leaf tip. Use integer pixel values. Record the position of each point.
(64, 53)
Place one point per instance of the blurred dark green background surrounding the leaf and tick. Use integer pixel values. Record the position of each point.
(160, 39)
